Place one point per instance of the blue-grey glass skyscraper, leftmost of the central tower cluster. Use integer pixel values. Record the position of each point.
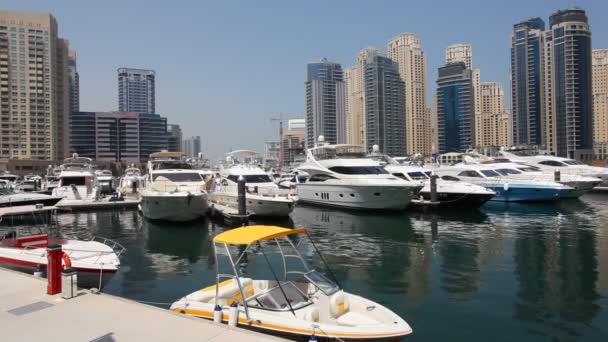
(325, 103)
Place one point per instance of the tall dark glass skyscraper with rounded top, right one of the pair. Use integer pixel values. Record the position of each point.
(568, 85)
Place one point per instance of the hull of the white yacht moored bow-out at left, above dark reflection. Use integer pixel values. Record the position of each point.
(177, 206)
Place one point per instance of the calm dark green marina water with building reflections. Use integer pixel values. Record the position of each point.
(506, 273)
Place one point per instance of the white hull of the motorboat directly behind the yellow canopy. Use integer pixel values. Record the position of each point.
(256, 205)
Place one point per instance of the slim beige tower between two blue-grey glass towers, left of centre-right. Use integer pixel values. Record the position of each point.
(355, 99)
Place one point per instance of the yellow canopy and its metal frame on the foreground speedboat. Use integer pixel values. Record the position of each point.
(249, 236)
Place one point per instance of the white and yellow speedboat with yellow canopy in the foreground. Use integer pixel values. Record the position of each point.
(296, 301)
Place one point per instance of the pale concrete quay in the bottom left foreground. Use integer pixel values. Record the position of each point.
(27, 313)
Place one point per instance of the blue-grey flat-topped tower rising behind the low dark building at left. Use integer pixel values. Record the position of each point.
(136, 90)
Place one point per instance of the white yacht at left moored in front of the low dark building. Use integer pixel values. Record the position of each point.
(77, 180)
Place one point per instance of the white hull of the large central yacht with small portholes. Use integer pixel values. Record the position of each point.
(356, 196)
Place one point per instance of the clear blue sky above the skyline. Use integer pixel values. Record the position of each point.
(224, 67)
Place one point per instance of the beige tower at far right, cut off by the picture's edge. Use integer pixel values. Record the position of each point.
(600, 97)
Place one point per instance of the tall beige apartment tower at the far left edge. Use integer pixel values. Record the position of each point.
(34, 89)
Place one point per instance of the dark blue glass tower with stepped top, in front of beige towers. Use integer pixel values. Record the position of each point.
(455, 108)
